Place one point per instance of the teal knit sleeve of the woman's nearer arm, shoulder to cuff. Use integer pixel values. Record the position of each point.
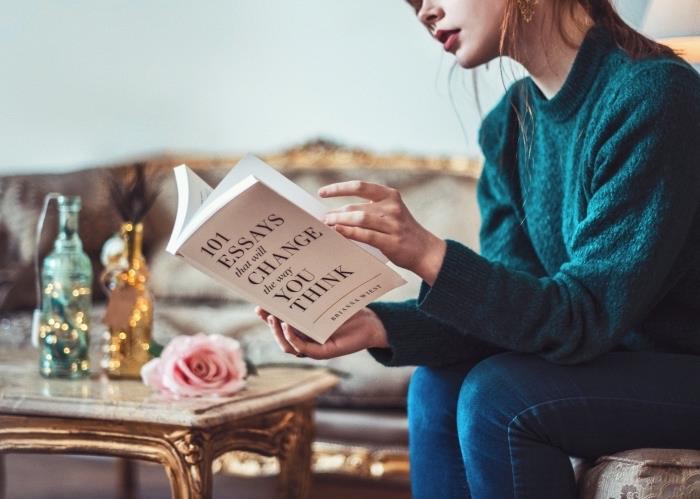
(644, 195)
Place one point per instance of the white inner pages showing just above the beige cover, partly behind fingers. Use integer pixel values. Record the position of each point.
(251, 165)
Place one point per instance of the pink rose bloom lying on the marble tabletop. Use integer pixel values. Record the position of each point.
(197, 365)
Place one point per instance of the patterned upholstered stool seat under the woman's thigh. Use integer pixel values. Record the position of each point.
(644, 474)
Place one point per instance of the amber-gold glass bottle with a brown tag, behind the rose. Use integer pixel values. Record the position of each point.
(129, 311)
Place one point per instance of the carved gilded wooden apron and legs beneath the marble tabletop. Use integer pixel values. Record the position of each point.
(186, 453)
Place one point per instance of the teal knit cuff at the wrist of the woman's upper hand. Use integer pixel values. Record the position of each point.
(460, 284)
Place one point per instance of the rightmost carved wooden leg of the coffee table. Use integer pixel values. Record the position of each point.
(294, 479)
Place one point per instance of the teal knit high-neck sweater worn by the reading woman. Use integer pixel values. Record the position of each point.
(590, 235)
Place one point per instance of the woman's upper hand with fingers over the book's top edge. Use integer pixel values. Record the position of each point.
(385, 223)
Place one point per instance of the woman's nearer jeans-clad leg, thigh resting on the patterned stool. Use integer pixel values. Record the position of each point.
(519, 417)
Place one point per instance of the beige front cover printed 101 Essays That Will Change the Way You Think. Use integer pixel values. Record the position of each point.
(280, 257)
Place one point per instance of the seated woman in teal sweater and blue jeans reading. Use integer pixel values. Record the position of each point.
(576, 330)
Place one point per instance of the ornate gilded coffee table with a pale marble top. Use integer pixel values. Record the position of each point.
(272, 416)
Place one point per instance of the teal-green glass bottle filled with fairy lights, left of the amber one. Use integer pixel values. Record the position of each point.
(66, 281)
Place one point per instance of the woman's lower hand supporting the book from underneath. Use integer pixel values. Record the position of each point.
(363, 330)
